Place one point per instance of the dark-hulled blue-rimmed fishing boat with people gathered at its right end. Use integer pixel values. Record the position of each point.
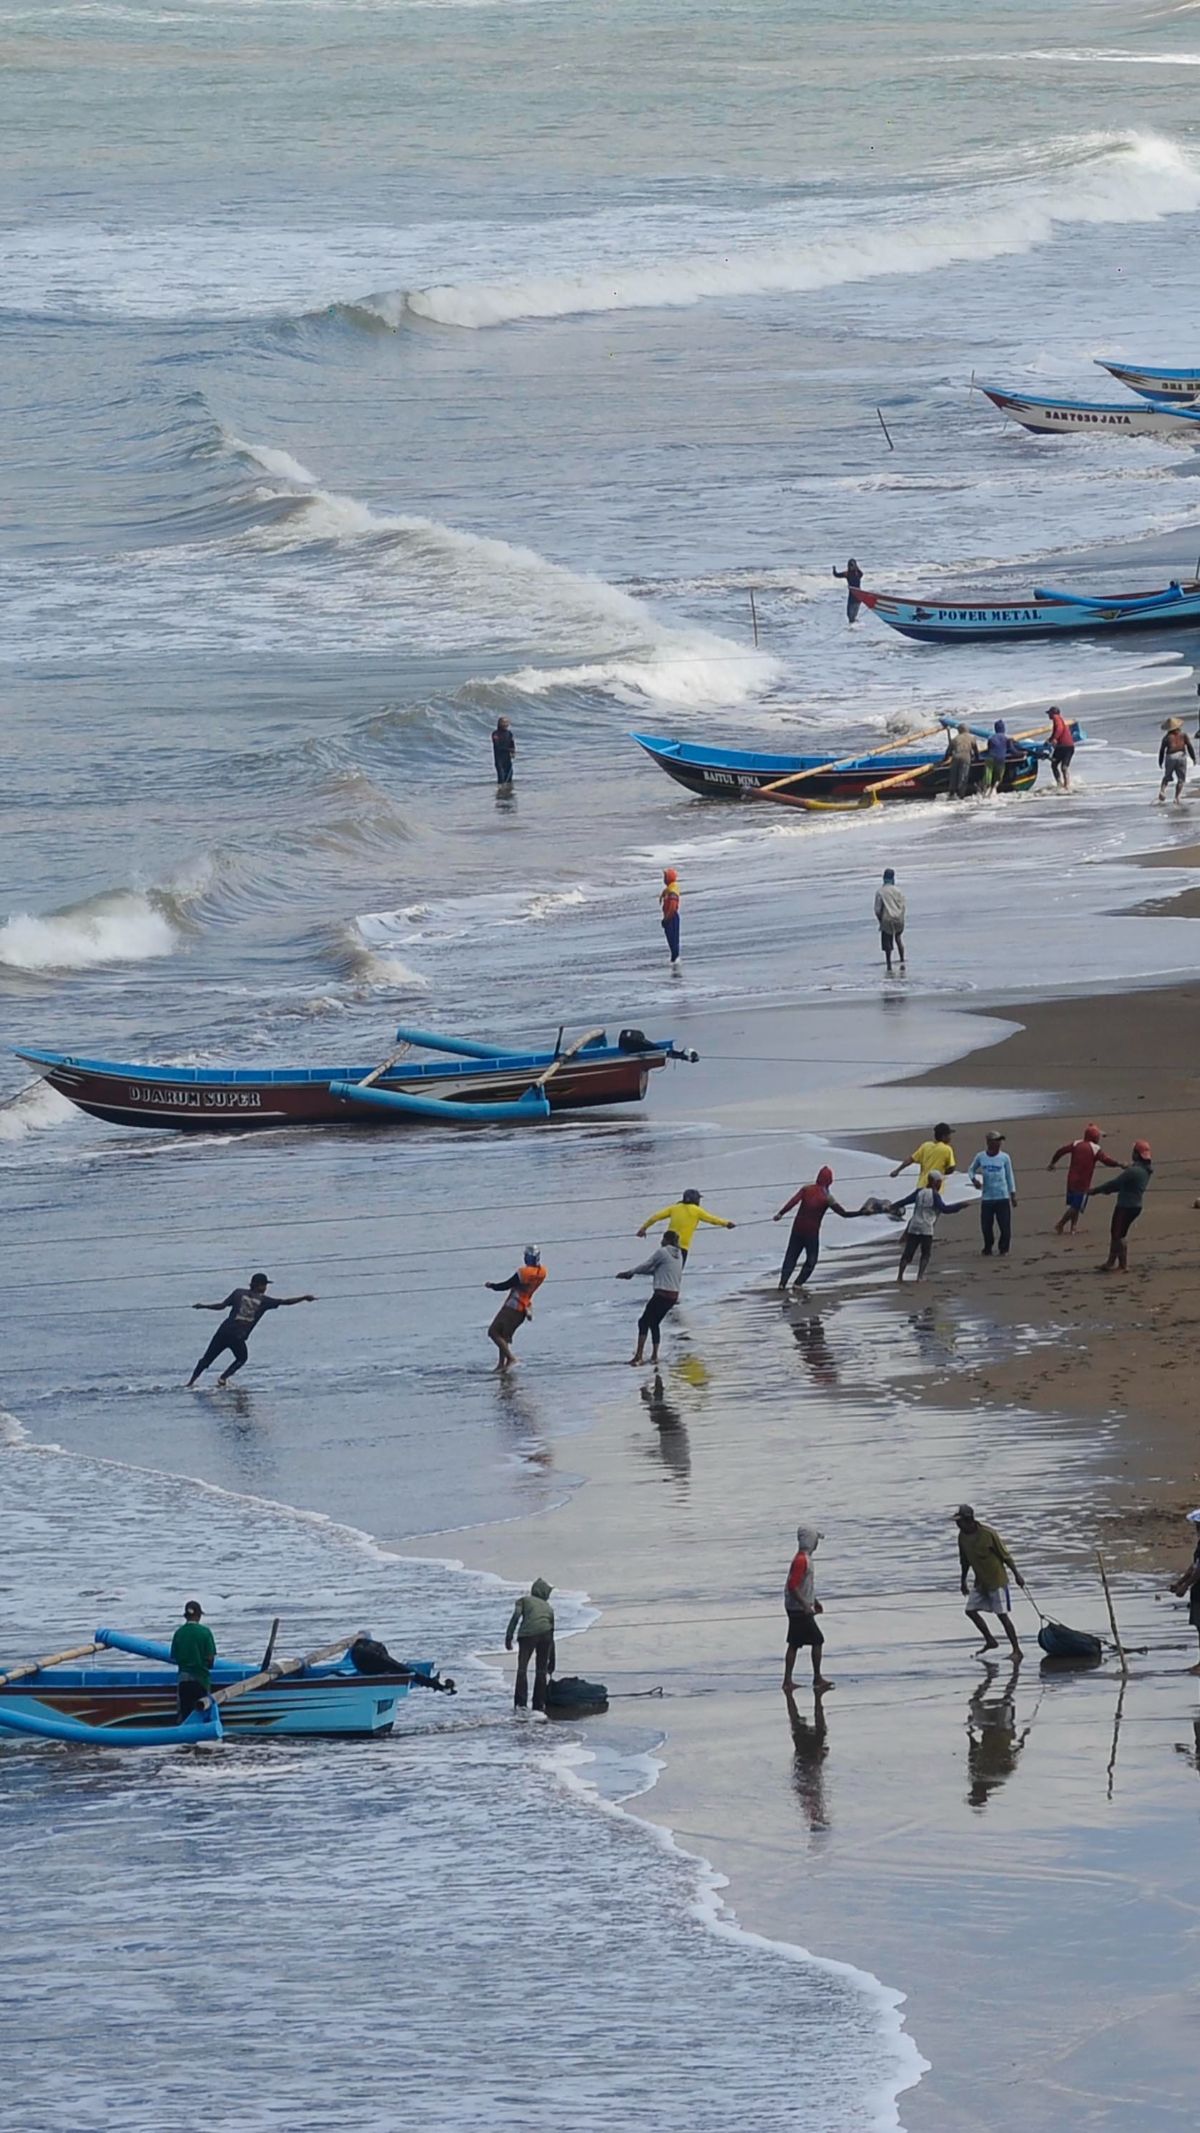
(813, 782)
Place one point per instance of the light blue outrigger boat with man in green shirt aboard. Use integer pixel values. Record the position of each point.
(137, 1705)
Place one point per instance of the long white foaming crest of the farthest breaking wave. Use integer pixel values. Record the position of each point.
(1118, 178)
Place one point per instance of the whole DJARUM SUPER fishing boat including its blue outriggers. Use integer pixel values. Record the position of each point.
(476, 1085)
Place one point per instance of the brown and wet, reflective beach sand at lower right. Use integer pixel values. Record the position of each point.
(1013, 1850)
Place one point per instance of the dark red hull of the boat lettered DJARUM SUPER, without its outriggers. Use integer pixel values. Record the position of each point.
(191, 1100)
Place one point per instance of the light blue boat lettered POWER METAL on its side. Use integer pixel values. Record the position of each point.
(964, 622)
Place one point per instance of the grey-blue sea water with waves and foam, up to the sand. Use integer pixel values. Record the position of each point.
(376, 368)
